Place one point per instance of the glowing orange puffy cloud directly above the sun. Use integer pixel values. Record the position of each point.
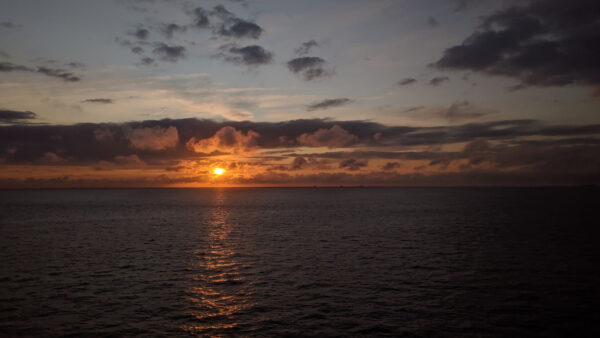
(226, 140)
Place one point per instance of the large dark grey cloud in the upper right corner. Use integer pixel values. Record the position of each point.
(543, 43)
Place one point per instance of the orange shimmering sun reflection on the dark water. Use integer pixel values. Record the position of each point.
(219, 291)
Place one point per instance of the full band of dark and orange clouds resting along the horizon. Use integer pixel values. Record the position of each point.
(298, 152)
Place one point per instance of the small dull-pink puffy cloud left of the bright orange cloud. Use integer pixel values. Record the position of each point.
(155, 138)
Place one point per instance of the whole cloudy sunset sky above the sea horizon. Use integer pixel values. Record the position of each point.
(160, 93)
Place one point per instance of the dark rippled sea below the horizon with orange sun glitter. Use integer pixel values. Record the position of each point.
(300, 262)
